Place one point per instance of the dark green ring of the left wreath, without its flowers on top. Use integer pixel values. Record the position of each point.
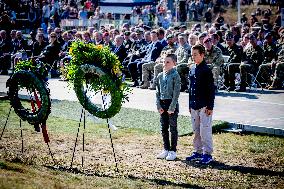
(30, 81)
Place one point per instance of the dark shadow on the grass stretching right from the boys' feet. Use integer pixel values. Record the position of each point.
(242, 169)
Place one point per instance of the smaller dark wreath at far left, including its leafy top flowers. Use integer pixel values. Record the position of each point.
(30, 76)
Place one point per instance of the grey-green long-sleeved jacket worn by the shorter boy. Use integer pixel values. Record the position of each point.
(168, 87)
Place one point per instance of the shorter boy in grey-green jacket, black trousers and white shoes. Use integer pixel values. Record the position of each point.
(167, 94)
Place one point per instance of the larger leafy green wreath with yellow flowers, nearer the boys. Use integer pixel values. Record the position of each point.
(100, 70)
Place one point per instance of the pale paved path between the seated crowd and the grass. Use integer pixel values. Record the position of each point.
(264, 108)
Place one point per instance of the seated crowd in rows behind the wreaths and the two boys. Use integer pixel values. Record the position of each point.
(255, 52)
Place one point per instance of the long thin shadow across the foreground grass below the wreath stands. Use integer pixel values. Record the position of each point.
(157, 181)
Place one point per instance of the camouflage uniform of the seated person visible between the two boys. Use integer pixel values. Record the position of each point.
(183, 53)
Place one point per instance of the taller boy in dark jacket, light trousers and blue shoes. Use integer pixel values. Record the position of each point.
(201, 103)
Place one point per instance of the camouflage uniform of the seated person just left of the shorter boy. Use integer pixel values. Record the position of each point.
(147, 68)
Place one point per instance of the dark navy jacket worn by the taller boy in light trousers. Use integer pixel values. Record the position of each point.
(201, 88)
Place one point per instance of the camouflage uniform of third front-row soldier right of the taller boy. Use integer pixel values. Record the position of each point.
(252, 59)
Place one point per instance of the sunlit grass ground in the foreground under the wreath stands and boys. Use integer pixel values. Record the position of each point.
(241, 161)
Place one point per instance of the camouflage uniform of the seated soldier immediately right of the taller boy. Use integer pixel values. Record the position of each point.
(214, 59)
